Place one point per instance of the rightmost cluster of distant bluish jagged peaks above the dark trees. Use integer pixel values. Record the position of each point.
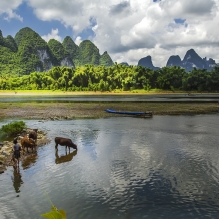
(191, 60)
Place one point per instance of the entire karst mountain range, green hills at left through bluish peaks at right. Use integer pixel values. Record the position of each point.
(27, 52)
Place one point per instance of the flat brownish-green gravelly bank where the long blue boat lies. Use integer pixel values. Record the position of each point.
(97, 109)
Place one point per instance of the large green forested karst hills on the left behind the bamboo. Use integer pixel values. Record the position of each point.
(27, 52)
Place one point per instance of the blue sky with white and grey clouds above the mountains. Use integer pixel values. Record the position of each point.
(127, 29)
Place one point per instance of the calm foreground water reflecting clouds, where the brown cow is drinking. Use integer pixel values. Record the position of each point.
(125, 168)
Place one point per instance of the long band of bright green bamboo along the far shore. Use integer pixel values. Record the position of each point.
(122, 77)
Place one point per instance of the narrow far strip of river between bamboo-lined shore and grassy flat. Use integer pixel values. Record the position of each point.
(112, 98)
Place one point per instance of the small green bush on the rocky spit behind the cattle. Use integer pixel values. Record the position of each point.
(13, 128)
